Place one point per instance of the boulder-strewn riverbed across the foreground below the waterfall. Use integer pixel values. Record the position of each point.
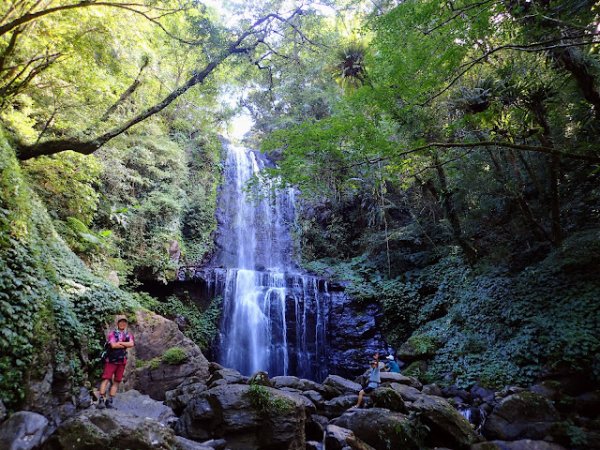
(202, 405)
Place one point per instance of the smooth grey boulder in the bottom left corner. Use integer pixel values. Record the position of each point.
(23, 430)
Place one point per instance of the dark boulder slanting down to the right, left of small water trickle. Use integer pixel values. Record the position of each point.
(447, 426)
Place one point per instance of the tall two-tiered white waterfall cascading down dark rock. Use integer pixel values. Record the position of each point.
(274, 315)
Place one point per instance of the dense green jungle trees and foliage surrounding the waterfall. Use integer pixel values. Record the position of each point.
(446, 155)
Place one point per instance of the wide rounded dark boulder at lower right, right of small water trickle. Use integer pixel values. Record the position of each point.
(519, 416)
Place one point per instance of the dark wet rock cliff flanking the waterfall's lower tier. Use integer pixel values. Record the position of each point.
(341, 335)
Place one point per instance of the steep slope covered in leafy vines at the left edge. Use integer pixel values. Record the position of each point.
(52, 309)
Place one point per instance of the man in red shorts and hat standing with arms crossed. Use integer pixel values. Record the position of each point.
(119, 341)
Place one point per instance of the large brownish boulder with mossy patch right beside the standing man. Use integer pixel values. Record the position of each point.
(154, 335)
